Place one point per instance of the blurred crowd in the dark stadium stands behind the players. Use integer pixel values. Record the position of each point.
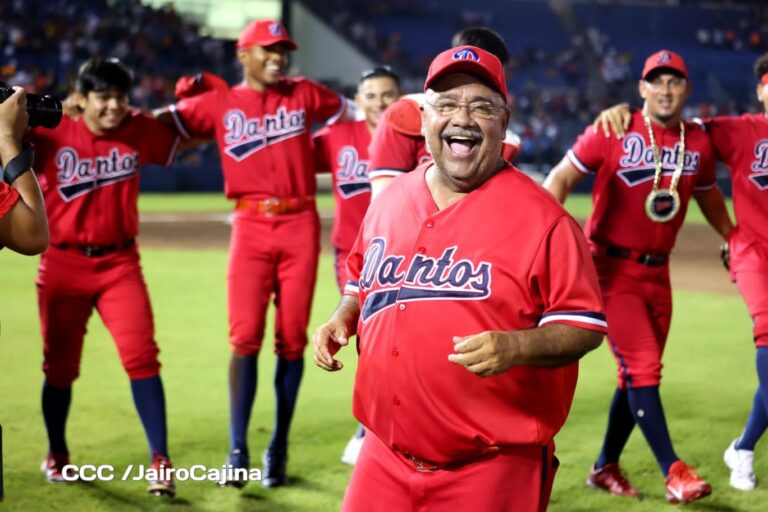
(554, 93)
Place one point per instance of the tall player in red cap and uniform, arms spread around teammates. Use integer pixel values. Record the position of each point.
(262, 128)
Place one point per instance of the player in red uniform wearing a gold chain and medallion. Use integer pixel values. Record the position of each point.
(641, 192)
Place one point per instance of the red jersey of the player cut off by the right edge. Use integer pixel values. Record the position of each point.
(742, 143)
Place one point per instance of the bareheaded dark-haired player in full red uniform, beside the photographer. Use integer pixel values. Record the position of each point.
(89, 172)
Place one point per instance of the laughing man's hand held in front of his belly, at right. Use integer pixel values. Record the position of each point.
(485, 354)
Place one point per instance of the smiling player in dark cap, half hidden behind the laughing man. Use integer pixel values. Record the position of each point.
(342, 150)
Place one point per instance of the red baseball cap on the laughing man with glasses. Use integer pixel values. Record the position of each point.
(471, 60)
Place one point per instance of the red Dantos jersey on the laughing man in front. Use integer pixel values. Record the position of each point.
(504, 257)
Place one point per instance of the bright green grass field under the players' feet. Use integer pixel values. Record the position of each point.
(708, 386)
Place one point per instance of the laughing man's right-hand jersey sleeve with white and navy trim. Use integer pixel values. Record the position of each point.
(565, 277)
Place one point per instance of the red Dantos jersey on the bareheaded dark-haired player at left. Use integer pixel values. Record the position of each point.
(90, 182)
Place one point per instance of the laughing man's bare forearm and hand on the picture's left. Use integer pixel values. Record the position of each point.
(335, 333)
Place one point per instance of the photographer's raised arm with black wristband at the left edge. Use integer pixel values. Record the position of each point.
(23, 222)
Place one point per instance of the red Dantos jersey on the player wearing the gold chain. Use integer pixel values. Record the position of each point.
(624, 171)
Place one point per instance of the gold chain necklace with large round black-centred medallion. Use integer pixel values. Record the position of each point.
(662, 205)
